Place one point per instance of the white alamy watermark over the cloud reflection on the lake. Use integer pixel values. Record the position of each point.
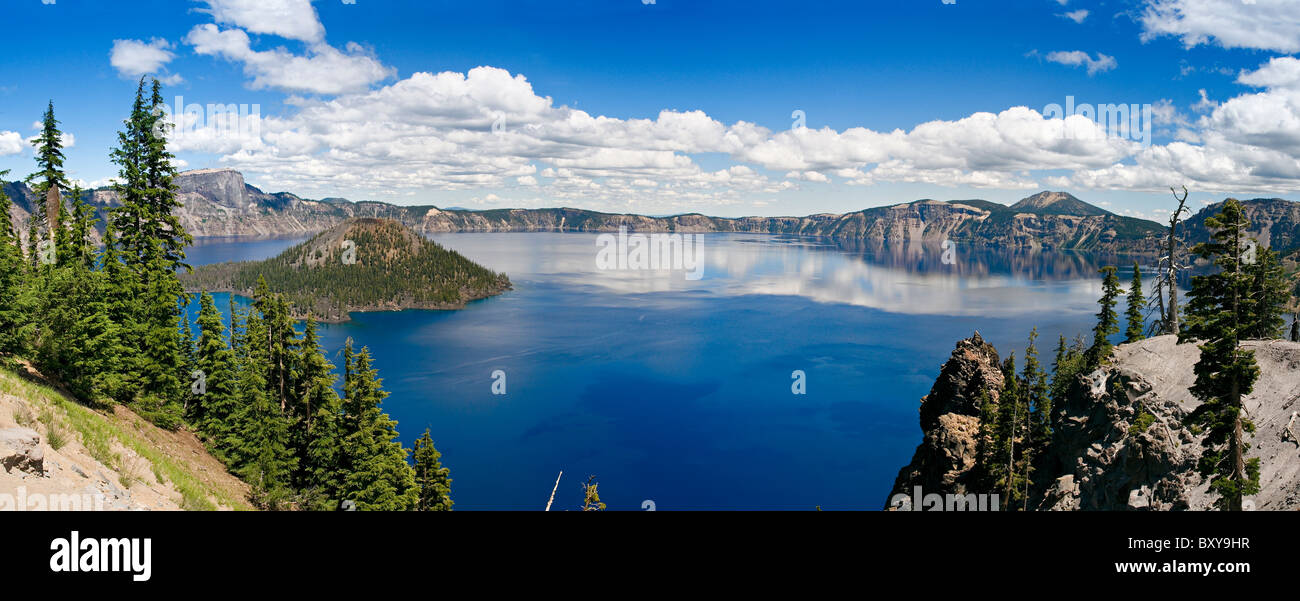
(626, 252)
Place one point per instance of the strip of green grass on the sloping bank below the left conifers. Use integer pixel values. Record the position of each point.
(99, 434)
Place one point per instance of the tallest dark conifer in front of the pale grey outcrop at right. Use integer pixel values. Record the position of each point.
(1225, 373)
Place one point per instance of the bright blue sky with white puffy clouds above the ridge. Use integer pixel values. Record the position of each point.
(681, 106)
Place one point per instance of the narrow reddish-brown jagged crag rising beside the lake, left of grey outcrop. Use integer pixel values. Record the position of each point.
(950, 418)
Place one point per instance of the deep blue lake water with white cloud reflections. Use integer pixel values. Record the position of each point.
(681, 392)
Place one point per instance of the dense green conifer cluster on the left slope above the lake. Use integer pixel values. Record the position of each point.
(109, 323)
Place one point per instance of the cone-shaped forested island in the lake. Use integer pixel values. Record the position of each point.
(362, 265)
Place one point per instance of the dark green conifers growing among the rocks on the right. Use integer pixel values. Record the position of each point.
(1246, 300)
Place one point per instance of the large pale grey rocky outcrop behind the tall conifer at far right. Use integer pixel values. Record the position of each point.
(1121, 443)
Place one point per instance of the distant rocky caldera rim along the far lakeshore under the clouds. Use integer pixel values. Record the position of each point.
(219, 204)
